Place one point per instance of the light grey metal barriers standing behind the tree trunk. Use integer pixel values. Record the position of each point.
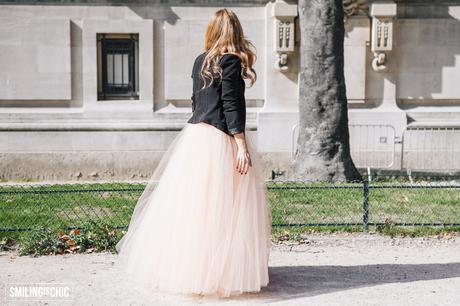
(417, 147)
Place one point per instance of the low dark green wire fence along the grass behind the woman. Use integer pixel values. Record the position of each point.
(384, 200)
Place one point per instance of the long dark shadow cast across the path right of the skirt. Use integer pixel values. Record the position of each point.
(289, 282)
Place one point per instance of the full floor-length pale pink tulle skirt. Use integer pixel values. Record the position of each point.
(200, 227)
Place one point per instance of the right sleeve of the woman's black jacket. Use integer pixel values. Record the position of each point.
(233, 102)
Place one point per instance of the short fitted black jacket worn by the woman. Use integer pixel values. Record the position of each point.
(222, 104)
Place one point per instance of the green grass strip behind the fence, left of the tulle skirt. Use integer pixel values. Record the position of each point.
(67, 205)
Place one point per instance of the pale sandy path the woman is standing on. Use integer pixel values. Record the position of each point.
(328, 270)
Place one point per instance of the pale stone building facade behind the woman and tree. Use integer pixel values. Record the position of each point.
(99, 89)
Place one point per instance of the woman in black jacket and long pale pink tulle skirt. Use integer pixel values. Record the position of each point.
(205, 228)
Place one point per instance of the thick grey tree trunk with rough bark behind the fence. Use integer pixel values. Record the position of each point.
(323, 147)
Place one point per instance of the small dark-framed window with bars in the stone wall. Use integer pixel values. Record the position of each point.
(117, 66)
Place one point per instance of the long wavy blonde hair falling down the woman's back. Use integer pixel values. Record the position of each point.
(224, 34)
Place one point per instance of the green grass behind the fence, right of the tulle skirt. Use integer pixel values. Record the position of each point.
(343, 203)
